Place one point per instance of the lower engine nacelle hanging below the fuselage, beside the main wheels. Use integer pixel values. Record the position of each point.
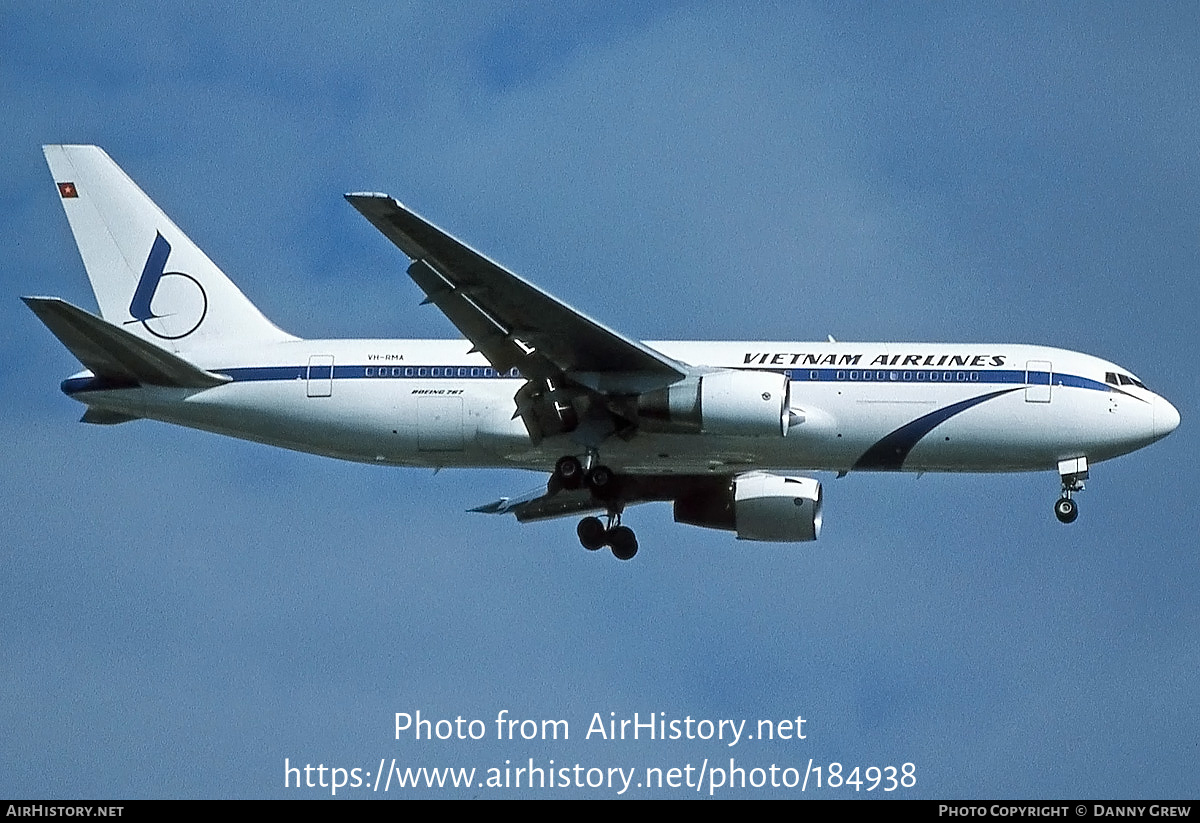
(759, 507)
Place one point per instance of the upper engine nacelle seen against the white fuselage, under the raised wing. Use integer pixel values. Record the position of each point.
(741, 404)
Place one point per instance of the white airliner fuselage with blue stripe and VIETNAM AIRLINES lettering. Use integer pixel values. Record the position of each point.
(913, 407)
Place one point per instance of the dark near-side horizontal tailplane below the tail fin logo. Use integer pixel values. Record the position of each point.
(116, 355)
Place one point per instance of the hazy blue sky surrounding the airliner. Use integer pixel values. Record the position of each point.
(183, 612)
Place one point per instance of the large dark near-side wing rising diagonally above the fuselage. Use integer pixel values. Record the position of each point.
(511, 321)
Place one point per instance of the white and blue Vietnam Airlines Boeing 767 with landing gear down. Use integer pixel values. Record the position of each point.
(724, 431)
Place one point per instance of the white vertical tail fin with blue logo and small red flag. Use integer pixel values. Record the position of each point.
(148, 277)
